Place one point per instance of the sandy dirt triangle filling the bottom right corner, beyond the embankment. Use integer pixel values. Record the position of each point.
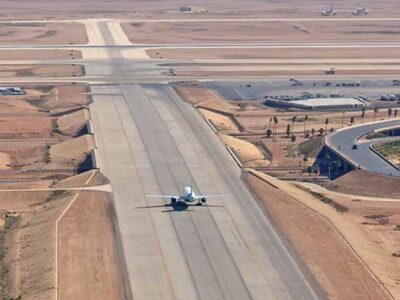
(370, 224)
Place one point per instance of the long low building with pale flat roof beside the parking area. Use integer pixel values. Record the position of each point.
(319, 103)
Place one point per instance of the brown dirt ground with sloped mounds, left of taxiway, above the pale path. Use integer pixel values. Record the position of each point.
(30, 135)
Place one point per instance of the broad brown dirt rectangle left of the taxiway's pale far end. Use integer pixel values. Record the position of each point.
(42, 33)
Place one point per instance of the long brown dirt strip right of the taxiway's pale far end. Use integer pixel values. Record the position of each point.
(260, 32)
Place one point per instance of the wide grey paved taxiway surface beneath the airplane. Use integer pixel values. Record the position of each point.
(150, 142)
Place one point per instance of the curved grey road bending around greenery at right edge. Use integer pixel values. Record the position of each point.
(342, 142)
